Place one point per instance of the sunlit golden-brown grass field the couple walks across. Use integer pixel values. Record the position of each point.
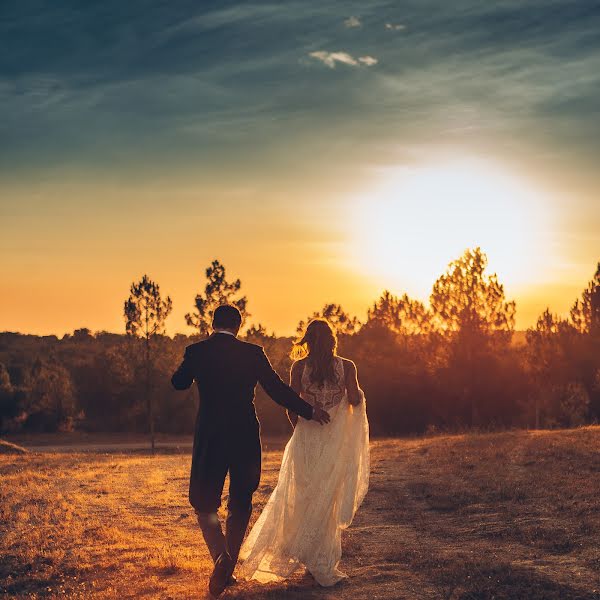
(496, 516)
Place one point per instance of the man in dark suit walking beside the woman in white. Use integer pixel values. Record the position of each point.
(227, 434)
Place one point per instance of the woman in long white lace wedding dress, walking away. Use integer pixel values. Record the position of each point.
(324, 473)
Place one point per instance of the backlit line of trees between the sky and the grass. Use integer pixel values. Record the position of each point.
(455, 363)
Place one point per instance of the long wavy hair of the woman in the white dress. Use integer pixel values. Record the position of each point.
(319, 346)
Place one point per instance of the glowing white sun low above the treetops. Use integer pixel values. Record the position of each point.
(405, 230)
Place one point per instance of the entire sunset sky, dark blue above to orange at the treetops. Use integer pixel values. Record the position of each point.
(323, 151)
